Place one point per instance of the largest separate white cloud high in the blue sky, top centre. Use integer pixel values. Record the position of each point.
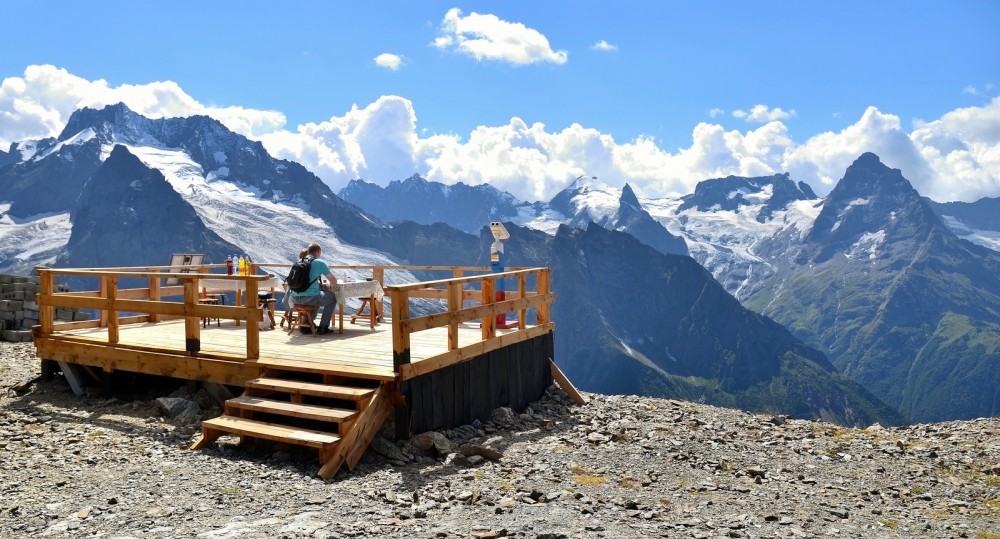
(486, 36)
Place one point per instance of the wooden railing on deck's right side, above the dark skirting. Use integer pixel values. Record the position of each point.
(455, 292)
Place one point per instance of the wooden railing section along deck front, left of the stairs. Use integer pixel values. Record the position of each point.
(110, 300)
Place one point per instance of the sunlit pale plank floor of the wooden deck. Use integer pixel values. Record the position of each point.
(360, 351)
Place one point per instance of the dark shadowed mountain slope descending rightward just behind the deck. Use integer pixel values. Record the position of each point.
(633, 320)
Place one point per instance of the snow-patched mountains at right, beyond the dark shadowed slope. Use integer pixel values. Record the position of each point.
(874, 276)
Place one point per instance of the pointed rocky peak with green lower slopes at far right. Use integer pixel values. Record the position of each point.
(876, 276)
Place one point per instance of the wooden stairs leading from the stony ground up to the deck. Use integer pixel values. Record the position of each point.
(337, 416)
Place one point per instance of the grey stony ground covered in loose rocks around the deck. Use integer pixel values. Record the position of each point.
(617, 467)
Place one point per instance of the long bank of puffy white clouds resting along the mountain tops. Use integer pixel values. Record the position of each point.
(955, 157)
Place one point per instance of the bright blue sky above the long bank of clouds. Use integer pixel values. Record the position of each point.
(669, 64)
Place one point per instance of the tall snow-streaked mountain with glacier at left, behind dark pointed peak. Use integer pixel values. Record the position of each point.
(258, 205)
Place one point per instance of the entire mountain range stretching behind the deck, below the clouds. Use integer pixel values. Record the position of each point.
(634, 312)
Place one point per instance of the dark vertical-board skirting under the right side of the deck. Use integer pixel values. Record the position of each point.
(513, 376)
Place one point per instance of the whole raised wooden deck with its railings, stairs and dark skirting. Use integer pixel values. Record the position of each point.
(330, 392)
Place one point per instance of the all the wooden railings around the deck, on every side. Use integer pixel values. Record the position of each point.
(455, 292)
